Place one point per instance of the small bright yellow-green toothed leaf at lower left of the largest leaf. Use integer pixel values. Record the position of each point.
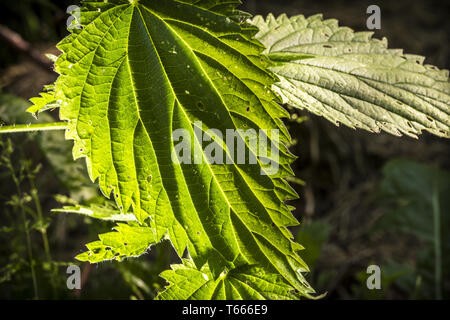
(128, 241)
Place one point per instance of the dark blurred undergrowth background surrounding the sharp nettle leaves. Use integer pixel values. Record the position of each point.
(367, 199)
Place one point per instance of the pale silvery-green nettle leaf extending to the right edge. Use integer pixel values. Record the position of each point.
(350, 78)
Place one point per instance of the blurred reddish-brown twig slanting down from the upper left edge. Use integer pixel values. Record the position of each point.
(19, 44)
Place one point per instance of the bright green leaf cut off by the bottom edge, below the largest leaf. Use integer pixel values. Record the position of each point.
(246, 283)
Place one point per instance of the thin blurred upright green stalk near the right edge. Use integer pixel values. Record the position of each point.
(437, 243)
